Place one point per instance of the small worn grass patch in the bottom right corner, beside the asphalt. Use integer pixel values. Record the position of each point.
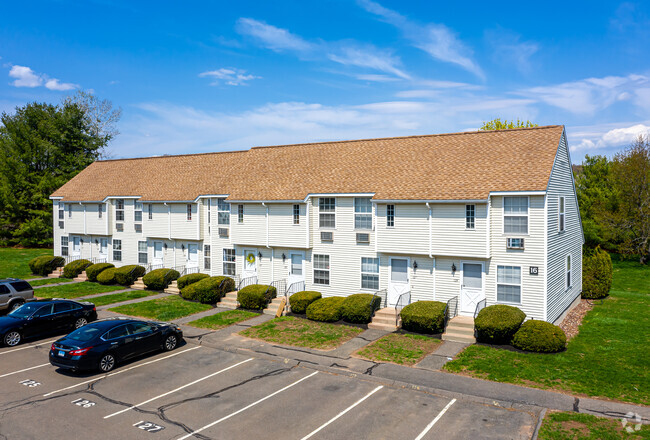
(575, 426)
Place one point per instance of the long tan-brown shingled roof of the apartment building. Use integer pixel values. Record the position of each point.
(457, 166)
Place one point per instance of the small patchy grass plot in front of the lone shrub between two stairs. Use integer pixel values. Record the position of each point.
(398, 348)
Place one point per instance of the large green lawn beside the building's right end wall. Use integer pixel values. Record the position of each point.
(609, 357)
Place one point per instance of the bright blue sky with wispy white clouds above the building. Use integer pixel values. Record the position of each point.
(213, 76)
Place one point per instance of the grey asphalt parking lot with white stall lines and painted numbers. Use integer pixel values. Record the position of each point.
(200, 392)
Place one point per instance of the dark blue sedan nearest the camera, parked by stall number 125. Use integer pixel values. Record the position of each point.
(102, 344)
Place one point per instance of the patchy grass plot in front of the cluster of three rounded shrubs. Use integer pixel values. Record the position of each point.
(289, 330)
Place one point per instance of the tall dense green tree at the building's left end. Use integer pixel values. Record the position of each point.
(42, 146)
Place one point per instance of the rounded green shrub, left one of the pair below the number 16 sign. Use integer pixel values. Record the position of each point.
(498, 324)
